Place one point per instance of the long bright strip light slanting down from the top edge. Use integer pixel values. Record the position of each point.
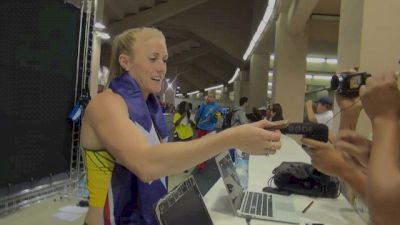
(262, 26)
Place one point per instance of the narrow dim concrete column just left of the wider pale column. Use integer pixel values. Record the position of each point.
(258, 80)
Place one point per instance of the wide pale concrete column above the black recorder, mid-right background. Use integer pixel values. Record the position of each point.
(289, 70)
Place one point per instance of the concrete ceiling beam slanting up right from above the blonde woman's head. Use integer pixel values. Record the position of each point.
(154, 15)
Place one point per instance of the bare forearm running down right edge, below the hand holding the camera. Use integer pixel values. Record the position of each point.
(383, 182)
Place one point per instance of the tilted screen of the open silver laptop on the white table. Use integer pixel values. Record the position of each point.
(231, 179)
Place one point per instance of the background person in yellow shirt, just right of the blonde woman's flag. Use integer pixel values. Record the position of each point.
(183, 124)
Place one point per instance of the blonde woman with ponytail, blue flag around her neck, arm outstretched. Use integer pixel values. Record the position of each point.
(125, 122)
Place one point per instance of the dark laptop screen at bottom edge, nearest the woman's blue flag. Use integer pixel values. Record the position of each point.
(184, 205)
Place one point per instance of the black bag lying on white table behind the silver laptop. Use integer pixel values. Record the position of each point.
(303, 179)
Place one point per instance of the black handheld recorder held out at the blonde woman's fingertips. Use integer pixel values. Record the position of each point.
(316, 131)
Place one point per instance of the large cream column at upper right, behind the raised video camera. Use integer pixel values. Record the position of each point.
(368, 36)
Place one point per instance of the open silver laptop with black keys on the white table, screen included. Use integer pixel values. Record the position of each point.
(258, 205)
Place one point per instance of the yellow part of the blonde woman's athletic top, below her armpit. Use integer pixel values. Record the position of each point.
(99, 167)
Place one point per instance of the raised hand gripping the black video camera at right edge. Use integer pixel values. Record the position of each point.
(381, 97)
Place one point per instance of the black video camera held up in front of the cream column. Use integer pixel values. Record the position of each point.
(348, 84)
